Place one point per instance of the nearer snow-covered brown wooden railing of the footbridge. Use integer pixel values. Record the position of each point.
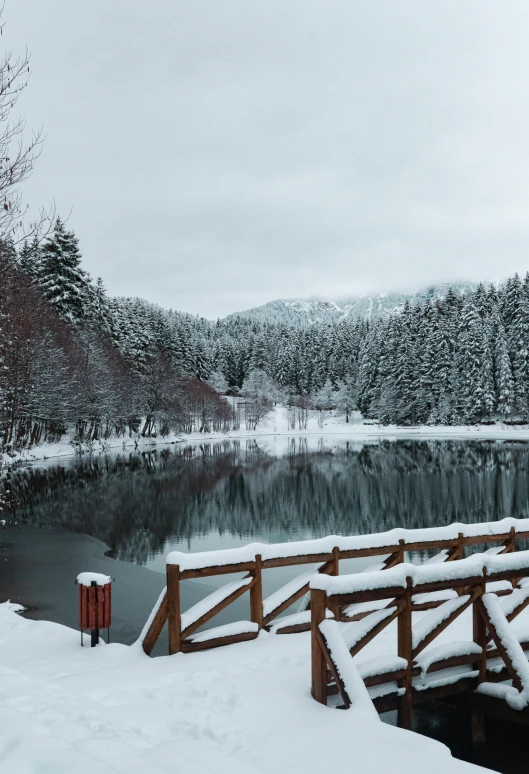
(418, 672)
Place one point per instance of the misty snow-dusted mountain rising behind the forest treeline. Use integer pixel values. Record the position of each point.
(303, 312)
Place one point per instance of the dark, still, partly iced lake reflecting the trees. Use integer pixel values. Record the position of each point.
(138, 506)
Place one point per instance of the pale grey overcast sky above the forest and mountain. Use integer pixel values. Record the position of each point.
(218, 155)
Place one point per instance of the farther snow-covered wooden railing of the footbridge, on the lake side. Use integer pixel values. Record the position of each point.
(255, 559)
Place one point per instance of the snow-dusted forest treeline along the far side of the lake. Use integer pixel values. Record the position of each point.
(73, 357)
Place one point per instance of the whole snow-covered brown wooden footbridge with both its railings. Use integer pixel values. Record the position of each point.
(487, 667)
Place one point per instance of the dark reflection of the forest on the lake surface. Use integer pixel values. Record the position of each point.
(135, 502)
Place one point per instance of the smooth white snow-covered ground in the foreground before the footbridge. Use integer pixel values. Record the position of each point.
(241, 709)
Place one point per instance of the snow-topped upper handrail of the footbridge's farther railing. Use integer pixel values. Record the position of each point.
(205, 563)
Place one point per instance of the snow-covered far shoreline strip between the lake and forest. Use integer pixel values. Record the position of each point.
(276, 424)
